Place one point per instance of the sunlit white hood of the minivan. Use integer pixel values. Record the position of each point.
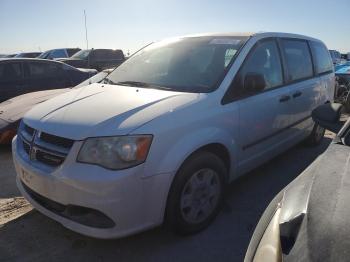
(103, 110)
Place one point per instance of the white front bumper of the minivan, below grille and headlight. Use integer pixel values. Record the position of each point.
(133, 202)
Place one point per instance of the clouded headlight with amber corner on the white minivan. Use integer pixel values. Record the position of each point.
(115, 152)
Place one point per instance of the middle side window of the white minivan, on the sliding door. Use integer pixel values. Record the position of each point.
(298, 59)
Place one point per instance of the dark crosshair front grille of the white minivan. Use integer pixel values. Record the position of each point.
(45, 148)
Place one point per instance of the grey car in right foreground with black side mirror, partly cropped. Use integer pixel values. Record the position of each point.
(309, 219)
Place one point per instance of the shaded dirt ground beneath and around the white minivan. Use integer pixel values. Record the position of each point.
(26, 235)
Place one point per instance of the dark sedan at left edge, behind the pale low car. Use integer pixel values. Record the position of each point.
(23, 75)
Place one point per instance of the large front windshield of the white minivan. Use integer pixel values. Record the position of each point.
(194, 64)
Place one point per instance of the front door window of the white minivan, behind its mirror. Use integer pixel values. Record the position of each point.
(262, 69)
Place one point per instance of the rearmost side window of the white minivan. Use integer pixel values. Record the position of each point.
(322, 59)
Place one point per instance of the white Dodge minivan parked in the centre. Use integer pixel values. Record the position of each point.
(160, 138)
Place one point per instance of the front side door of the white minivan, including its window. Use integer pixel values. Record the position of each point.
(265, 108)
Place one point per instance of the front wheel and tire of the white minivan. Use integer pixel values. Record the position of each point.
(196, 194)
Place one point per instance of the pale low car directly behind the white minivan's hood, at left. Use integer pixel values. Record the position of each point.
(12, 110)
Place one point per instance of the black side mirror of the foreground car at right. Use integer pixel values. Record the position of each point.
(328, 116)
